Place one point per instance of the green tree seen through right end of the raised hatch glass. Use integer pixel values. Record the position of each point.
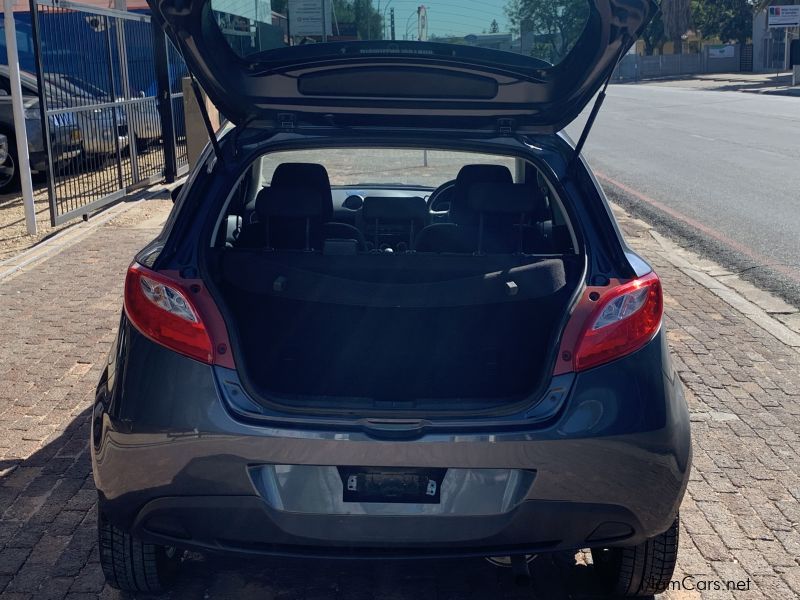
(553, 25)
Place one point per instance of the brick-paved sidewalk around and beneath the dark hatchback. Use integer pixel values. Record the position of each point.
(741, 516)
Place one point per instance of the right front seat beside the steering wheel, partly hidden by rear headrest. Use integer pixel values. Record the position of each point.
(460, 235)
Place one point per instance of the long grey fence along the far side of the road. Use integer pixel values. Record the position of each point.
(633, 67)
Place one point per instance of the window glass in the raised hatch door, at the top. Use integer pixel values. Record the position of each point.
(542, 29)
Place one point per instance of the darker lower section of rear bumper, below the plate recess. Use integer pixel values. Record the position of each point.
(247, 525)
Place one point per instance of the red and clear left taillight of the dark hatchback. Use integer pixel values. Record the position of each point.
(159, 308)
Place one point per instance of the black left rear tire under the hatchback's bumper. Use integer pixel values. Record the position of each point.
(131, 565)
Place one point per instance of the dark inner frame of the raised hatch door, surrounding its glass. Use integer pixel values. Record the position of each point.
(404, 83)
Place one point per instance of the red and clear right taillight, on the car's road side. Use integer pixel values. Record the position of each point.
(626, 319)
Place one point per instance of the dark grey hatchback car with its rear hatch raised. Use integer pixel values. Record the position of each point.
(390, 316)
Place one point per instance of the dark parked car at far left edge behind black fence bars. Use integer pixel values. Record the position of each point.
(65, 135)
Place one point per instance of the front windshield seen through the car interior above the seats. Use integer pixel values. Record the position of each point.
(365, 166)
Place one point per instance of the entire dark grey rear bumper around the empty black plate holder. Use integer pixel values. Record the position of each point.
(172, 463)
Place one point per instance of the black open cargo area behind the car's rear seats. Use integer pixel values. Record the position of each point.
(404, 330)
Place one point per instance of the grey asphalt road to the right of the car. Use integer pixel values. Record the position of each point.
(718, 171)
